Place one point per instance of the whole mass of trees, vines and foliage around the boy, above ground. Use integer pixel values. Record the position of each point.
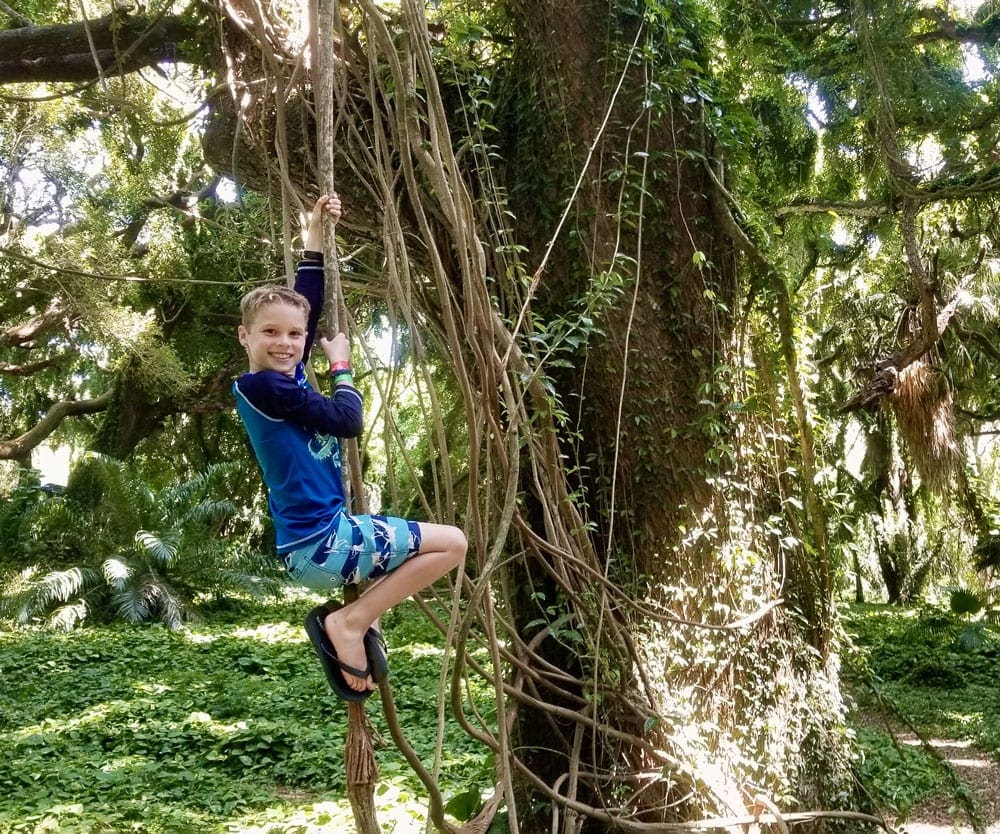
(686, 312)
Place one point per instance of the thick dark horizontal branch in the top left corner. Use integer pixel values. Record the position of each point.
(86, 50)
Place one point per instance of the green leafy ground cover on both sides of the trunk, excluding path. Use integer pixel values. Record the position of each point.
(226, 725)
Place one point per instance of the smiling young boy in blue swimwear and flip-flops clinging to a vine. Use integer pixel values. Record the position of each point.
(293, 431)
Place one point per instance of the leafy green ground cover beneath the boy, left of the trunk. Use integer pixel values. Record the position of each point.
(224, 726)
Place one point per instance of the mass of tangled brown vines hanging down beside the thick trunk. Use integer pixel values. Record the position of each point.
(439, 239)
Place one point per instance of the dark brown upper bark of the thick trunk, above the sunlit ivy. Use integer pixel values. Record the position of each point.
(646, 420)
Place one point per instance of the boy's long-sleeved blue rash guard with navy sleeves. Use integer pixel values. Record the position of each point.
(294, 432)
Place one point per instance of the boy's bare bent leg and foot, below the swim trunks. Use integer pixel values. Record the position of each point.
(442, 549)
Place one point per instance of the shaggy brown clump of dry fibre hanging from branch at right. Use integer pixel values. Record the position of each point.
(924, 408)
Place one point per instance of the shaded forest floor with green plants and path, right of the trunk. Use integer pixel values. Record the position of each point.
(928, 717)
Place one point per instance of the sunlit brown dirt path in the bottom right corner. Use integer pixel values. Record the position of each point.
(944, 815)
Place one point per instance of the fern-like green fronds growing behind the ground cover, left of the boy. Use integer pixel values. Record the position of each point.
(114, 545)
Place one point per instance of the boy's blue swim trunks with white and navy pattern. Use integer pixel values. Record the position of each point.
(358, 547)
